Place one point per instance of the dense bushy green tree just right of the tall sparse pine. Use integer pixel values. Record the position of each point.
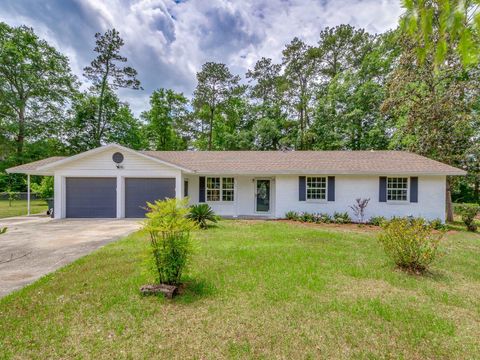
(166, 122)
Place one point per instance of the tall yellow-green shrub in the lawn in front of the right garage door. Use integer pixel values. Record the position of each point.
(169, 229)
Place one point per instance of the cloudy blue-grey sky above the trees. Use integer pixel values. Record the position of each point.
(167, 41)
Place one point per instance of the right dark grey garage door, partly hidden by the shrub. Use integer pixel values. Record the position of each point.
(139, 191)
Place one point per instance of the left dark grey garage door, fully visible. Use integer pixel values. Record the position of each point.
(91, 197)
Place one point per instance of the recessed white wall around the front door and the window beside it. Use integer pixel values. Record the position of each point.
(244, 204)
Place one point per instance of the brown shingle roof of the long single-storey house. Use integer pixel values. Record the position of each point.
(287, 162)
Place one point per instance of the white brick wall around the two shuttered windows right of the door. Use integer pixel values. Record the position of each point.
(430, 205)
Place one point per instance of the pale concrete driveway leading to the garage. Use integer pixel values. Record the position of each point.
(35, 246)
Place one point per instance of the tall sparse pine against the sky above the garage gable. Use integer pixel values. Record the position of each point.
(106, 75)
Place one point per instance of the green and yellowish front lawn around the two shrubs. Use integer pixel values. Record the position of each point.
(254, 290)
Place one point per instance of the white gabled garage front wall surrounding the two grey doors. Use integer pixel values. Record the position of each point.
(102, 165)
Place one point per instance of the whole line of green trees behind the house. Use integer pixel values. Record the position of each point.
(351, 90)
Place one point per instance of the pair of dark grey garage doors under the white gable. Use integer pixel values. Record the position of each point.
(97, 197)
